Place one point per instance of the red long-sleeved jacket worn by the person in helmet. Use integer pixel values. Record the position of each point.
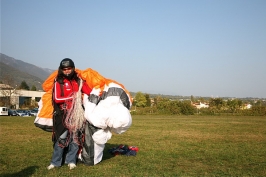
(69, 87)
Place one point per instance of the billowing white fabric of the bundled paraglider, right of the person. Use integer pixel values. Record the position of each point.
(110, 115)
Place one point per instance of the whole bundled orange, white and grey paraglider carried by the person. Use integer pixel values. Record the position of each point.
(107, 108)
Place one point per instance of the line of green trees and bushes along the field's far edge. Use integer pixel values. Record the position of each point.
(143, 104)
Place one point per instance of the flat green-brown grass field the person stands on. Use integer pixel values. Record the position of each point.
(168, 146)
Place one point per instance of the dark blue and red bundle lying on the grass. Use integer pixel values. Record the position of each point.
(124, 150)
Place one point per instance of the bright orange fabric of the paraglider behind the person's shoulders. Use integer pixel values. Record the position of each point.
(93, 79)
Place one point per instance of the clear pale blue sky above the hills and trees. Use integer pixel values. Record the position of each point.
(175, 47)
